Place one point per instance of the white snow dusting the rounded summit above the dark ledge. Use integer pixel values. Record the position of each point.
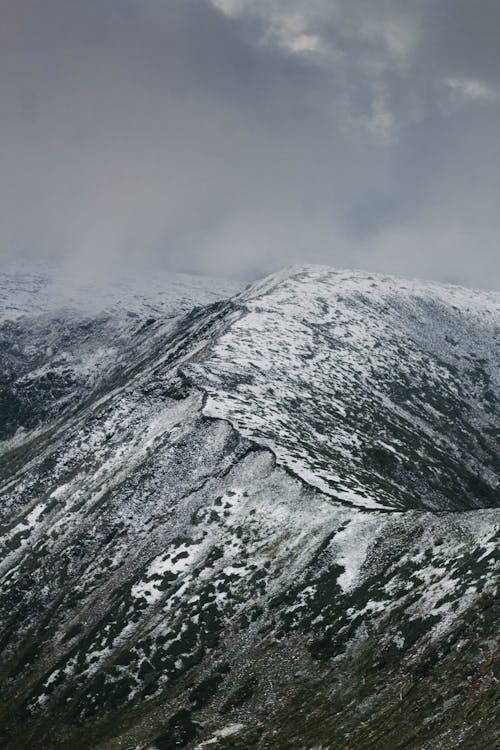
(313, 347)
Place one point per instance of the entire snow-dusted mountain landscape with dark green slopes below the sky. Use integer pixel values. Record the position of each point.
(258, 518)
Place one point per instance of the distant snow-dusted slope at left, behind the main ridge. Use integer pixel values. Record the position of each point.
(61, 343)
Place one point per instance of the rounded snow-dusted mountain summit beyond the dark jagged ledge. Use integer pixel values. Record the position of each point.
(367, 386)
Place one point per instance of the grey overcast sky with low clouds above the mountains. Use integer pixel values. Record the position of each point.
(232, 137)
